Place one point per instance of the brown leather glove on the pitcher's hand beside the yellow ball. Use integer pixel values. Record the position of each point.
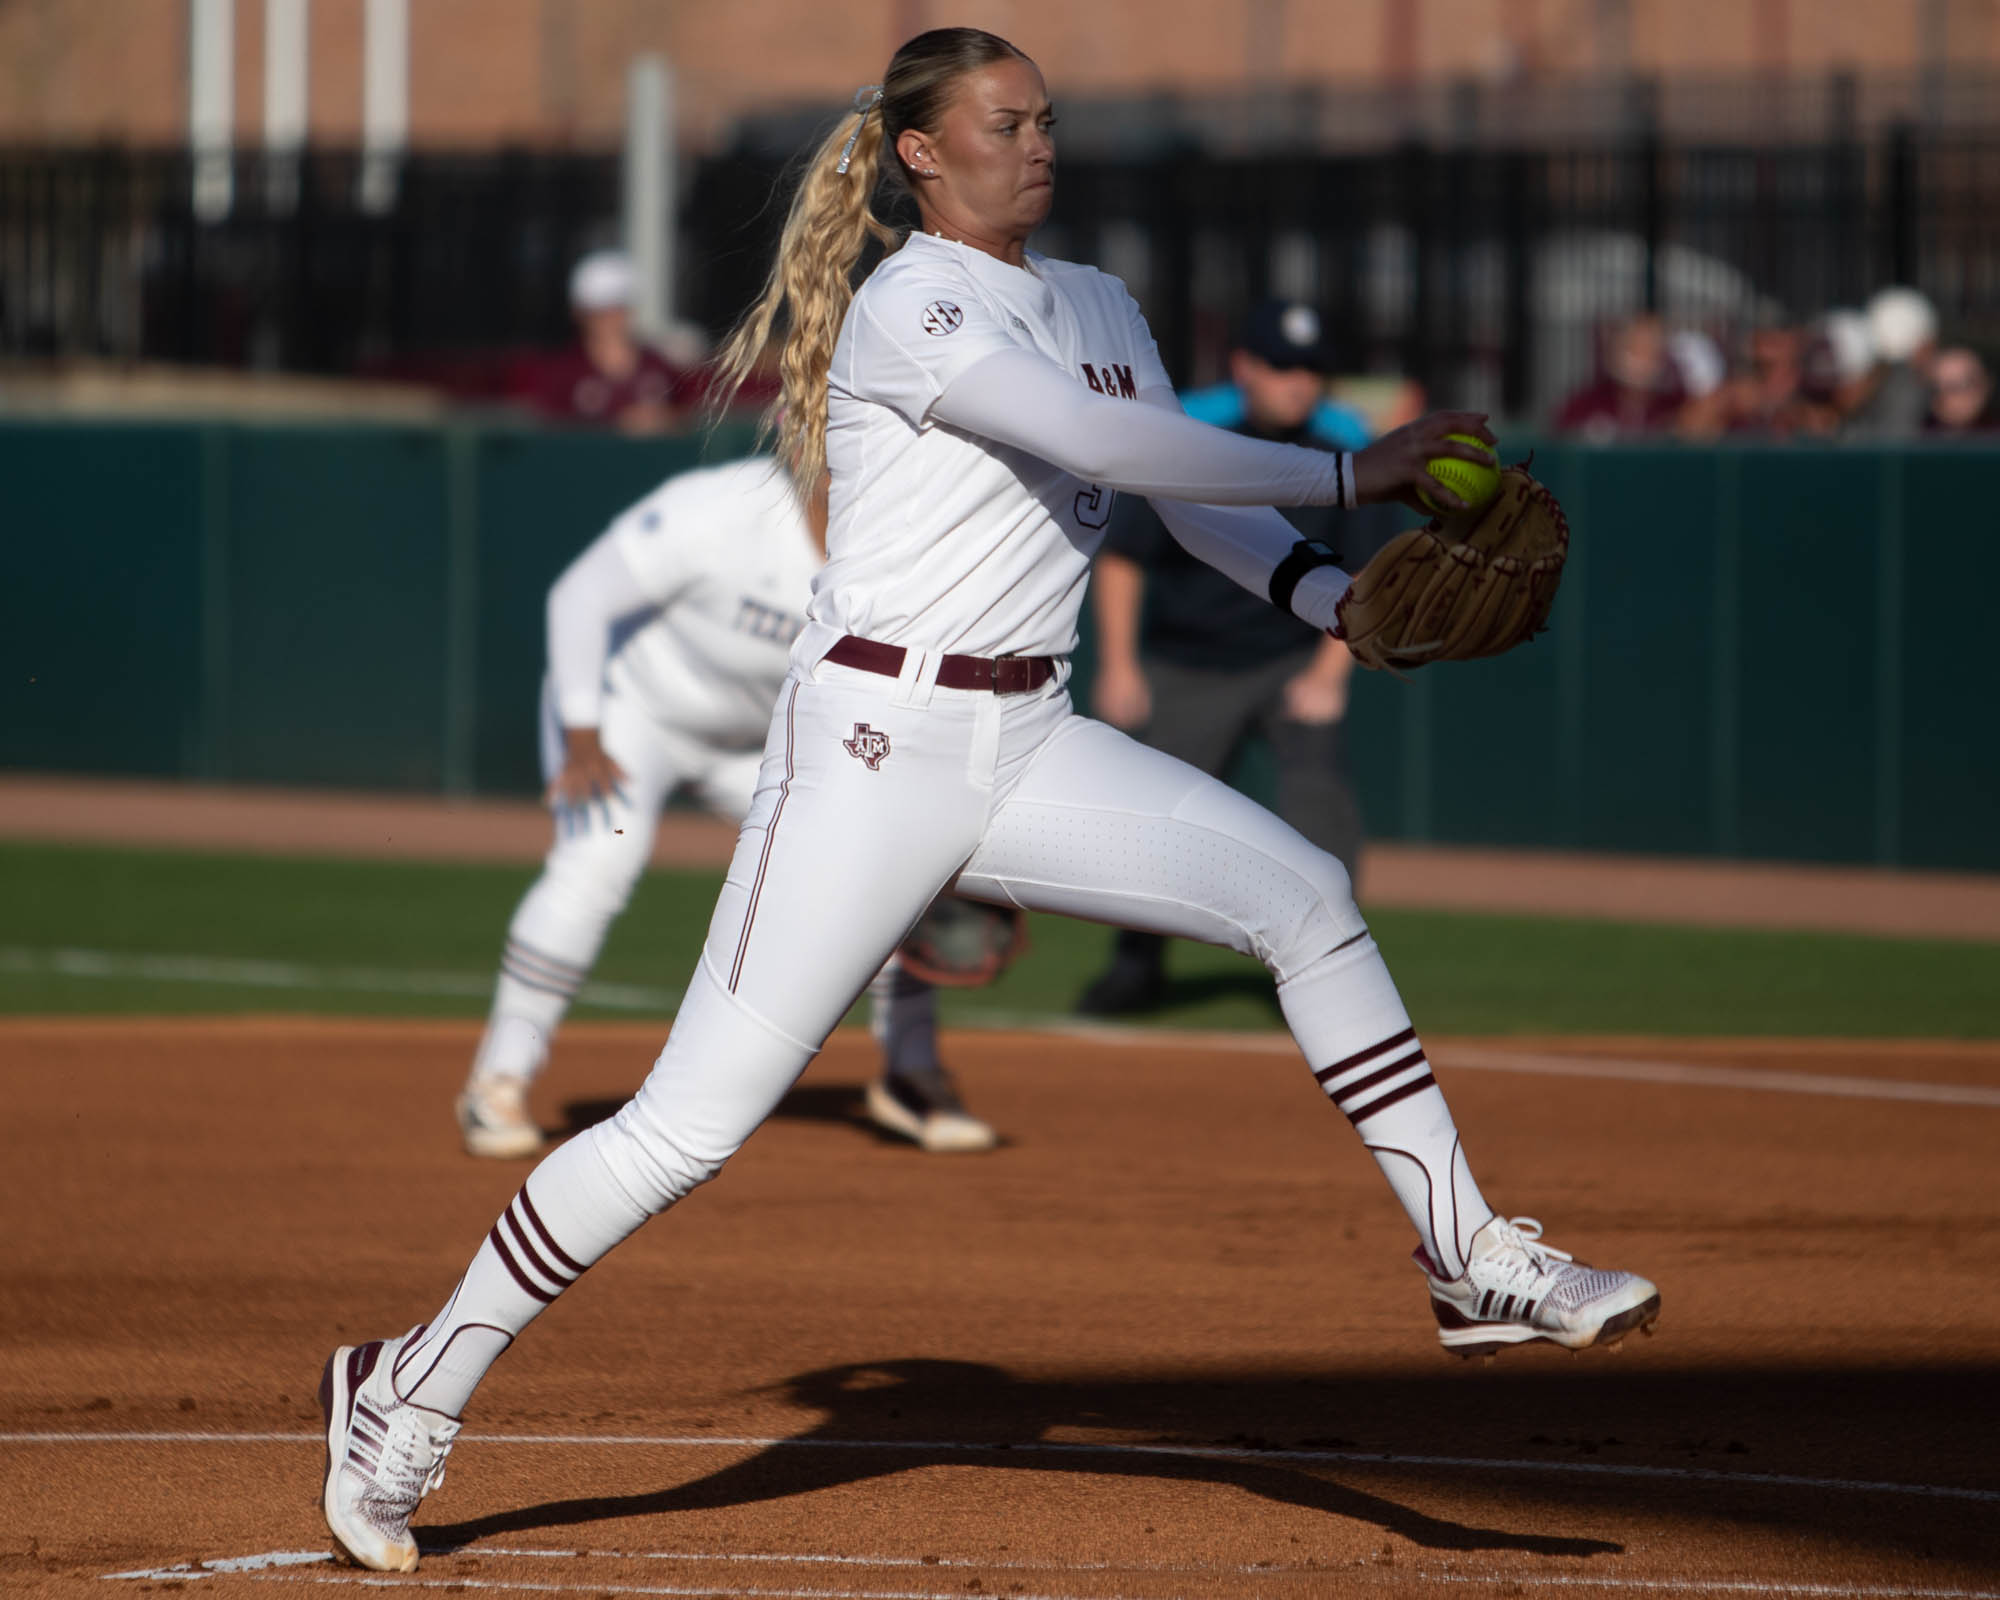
(1469, 585)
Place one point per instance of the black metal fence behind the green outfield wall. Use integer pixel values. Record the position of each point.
(1485, 273)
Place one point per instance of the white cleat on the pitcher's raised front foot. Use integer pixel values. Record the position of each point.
(1517, 1291)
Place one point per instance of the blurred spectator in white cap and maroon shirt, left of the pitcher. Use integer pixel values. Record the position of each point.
(607, 377)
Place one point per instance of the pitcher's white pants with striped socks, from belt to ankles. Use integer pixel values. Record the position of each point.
(873, 797)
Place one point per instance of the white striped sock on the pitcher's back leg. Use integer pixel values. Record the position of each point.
(565, 1219)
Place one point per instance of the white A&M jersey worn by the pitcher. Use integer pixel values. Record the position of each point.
(979, 541)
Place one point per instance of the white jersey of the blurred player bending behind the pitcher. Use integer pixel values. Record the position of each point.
(725, 559)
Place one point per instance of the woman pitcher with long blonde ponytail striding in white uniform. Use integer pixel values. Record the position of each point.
(977, 407)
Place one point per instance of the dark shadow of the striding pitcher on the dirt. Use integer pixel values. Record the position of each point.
(869, 1405)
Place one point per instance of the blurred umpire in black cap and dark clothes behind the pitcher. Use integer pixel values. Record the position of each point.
(1195, 665)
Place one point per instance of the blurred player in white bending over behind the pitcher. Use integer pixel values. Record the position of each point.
(667, 645)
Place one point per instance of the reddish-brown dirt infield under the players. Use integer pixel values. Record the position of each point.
(1165, 1343)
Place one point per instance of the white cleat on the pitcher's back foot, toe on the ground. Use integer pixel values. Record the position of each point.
(383, 1457)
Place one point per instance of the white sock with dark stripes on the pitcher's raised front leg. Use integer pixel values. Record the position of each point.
(1357, 1035)
